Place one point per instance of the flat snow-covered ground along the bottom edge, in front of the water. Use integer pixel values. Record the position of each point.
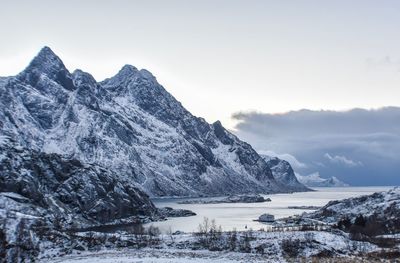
(247, 246)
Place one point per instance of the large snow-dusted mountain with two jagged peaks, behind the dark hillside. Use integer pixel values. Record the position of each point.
(130, 124)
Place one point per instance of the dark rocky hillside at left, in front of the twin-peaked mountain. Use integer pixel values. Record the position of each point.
(67, 190)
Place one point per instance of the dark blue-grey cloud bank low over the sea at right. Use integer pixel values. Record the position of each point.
(360, 147)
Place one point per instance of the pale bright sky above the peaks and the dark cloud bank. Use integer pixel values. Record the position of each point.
(220, 57)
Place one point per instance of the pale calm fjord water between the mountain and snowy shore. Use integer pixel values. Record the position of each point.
(240, 215)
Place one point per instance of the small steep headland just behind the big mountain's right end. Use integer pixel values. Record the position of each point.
(283, 173)
